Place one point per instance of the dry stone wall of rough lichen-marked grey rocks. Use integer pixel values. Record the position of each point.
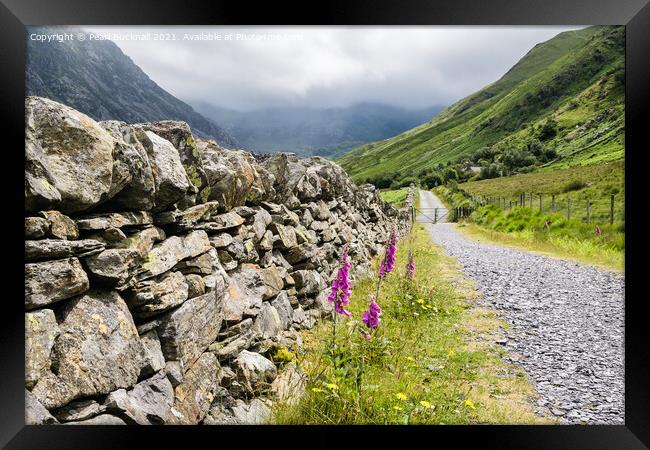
(163, 273)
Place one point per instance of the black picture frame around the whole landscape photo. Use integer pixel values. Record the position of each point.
(15, 15)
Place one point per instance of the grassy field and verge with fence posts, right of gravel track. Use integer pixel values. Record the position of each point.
(566, 236)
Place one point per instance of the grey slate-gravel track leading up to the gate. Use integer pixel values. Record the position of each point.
(566, 319)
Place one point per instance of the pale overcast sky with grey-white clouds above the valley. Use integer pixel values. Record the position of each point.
(260, 67)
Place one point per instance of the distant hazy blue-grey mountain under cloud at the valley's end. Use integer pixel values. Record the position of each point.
(327, 132)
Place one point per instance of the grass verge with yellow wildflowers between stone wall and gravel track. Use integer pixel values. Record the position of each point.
(433, 359)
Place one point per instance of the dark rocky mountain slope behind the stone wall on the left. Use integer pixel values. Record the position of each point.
(96, 78)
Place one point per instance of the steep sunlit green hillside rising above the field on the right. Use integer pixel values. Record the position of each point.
(561, 105)
